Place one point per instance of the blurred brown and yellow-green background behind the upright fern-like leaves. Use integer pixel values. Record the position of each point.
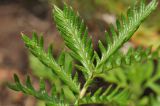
(26, 16)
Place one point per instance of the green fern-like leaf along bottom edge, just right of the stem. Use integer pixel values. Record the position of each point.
(109, 96)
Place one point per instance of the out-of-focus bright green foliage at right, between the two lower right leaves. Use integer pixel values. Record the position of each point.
(140, 75)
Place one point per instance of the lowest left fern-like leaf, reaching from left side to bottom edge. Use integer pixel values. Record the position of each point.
(51, 100)
